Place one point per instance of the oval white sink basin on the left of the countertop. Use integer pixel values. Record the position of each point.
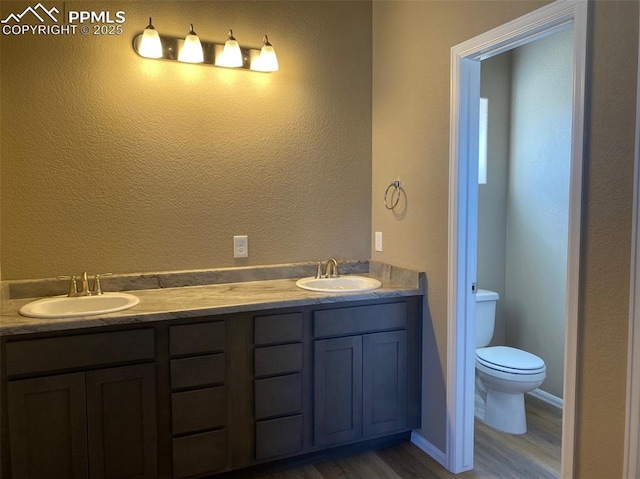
(66, 307)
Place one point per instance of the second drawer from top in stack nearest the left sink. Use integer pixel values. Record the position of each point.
(198, 371)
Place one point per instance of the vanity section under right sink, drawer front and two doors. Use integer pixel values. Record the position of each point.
(361, 377)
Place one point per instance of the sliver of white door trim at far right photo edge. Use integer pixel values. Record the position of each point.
(632, 435)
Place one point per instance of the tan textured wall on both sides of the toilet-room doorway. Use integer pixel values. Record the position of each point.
(410, 141)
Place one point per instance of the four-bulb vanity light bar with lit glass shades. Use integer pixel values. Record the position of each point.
(150, 44)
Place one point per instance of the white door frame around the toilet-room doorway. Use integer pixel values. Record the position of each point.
(463, 210)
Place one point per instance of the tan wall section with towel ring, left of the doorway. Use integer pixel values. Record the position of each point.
(411, 142)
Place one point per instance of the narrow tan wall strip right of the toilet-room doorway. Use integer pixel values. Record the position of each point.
(607, 245)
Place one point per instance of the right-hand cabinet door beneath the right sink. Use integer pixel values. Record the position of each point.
(384, 382)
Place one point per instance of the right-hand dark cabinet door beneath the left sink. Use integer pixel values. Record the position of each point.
(121, 415)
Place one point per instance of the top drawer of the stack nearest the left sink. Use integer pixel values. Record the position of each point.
(197, 338)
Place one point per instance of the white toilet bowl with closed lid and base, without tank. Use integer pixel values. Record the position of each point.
(503, 375)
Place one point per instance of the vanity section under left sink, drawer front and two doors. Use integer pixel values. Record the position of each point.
(94, 422)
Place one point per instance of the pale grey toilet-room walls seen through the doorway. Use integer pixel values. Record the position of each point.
(523, 196)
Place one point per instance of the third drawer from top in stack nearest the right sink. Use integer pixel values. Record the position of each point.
(278, 396)
